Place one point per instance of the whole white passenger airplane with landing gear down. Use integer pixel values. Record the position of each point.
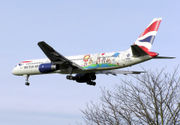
(85, 67)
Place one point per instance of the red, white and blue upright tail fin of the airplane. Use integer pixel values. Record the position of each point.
(145, 40)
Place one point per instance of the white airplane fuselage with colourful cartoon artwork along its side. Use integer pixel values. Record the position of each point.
(89, 62)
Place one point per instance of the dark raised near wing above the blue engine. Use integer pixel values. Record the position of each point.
(57, 58)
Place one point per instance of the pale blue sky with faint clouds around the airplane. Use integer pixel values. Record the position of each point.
(73, 27)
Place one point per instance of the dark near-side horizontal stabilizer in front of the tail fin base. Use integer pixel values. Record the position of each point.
(137, 51)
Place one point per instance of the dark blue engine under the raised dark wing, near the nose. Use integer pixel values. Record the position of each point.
(47, 67)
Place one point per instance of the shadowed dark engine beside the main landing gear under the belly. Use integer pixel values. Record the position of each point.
(85, 77)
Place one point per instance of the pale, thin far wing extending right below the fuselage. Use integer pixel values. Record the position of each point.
(115, 72)
